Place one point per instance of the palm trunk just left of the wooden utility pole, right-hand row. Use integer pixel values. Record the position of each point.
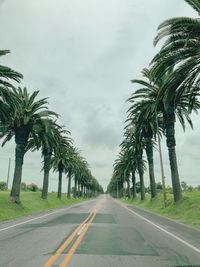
(149, 153)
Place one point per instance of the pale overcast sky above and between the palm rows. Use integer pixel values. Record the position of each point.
(82, 56)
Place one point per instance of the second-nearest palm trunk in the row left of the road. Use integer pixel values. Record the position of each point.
(47, 159)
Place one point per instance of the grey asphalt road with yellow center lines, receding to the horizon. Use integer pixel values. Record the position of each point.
(101, 232)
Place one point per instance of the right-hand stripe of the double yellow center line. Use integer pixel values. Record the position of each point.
(75, 245)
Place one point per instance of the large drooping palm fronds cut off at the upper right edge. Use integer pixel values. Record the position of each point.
(181, 49)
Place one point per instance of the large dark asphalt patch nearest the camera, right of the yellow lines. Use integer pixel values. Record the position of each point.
(112, 240)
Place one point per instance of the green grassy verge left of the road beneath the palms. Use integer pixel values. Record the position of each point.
(31, 203)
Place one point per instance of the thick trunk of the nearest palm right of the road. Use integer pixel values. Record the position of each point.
(169, 120)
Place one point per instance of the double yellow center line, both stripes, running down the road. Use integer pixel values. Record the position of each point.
(72, 236)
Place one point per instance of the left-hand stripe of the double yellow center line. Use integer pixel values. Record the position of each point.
(68, 241)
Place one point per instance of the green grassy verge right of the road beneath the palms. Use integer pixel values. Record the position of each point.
(187, 211)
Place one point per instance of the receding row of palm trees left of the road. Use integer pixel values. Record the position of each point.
(35, 127)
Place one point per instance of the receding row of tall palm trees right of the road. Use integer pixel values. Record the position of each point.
(170, 89)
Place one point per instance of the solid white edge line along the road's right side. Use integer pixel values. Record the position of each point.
(162, 229)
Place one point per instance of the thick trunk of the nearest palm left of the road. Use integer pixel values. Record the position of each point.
(21, 140)
